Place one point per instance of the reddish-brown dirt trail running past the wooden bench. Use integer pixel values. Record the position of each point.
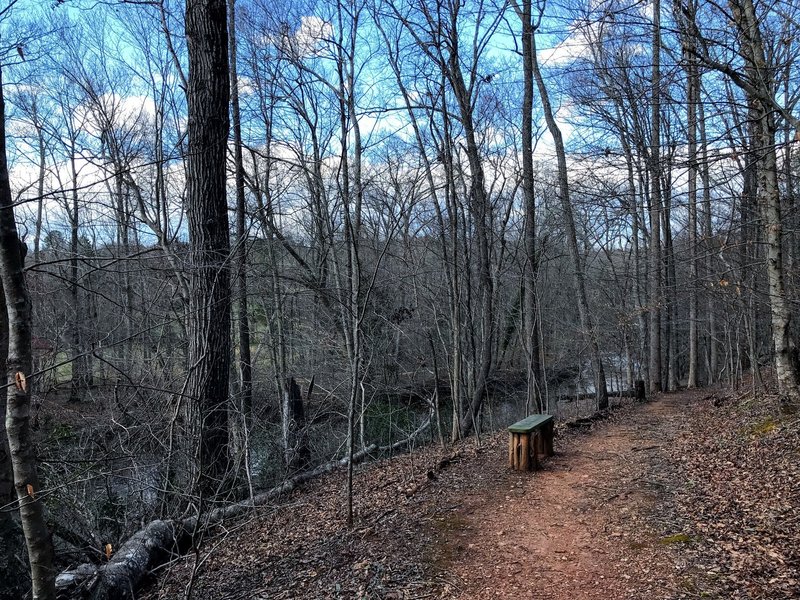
(587, 526)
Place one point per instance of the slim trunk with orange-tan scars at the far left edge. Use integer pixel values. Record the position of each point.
(19, 363)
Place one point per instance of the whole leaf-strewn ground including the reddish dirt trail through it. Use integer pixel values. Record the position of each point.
(693, 495)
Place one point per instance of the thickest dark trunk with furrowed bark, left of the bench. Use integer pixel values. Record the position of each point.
(208, 96)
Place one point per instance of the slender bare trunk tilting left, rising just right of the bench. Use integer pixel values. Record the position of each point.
(587, 322)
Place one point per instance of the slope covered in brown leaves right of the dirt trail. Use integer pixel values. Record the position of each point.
(739, 462)
